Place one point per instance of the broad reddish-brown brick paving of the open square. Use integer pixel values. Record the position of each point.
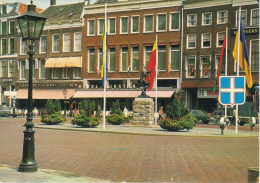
(134, 158)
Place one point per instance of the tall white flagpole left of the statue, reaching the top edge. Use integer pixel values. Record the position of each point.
(105, 68)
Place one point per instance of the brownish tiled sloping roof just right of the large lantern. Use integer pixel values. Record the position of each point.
(63, 12)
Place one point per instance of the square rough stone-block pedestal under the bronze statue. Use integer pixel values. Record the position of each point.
(143, 111)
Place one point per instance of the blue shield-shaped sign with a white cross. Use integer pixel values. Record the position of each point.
(232, 90)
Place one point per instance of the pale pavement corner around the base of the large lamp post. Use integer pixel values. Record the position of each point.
(11, 174)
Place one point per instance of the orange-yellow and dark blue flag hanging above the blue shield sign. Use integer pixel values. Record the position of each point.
(243, 55)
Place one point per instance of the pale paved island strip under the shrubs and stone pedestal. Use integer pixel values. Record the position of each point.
(153, 130)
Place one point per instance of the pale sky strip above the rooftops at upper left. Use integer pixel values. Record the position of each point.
(45, 3)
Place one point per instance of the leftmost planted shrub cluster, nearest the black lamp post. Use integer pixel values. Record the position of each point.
(53, 114)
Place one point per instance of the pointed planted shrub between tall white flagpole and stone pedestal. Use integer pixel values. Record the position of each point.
(116, 117)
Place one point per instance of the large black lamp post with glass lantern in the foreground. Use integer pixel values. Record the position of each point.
(31, 25)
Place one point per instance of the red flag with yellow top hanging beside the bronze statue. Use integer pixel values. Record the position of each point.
(151, 66)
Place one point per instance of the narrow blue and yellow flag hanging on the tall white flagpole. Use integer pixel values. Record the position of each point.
(104, 50)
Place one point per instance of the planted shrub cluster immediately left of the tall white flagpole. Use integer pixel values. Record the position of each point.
(86, 117)
